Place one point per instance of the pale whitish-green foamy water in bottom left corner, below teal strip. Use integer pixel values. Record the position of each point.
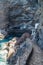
(3, 61)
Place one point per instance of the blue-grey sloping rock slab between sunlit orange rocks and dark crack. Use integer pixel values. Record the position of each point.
(23, 52)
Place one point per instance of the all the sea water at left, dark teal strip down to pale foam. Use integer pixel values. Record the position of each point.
(3, 54)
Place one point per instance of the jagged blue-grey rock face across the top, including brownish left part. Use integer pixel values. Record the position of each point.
(15, 12)
